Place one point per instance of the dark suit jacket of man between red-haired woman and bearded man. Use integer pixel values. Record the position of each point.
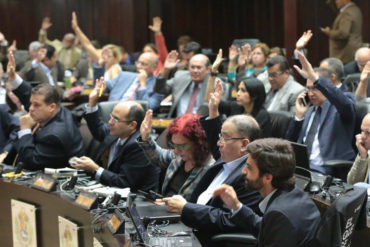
(210, 218)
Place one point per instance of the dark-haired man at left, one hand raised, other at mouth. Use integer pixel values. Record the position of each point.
(48, 136)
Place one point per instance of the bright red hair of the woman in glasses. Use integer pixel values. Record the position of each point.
(189, 126)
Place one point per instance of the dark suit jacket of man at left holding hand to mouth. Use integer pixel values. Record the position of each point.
(53, 144)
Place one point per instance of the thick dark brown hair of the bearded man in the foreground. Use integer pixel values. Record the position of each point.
(276, 157)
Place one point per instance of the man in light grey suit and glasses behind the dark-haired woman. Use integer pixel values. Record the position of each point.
(284, 90)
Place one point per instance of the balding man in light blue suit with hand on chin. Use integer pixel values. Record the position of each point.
(135, 86)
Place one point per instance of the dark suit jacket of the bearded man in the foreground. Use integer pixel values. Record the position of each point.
(291, 219)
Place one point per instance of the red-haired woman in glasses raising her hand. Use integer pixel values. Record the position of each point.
(187, 160)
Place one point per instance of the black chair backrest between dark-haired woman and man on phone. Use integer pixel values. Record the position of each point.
(279, 123)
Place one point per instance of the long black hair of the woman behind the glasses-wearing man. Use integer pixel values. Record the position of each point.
(256, 91)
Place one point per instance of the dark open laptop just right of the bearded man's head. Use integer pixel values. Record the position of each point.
(302, 171)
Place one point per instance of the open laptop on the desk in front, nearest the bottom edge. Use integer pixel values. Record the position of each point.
(166, 238)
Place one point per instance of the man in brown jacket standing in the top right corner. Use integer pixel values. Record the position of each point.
(345, 36)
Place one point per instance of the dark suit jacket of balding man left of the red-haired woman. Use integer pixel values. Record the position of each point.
(129, 168)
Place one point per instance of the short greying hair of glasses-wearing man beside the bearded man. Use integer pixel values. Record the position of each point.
(246, 126)
